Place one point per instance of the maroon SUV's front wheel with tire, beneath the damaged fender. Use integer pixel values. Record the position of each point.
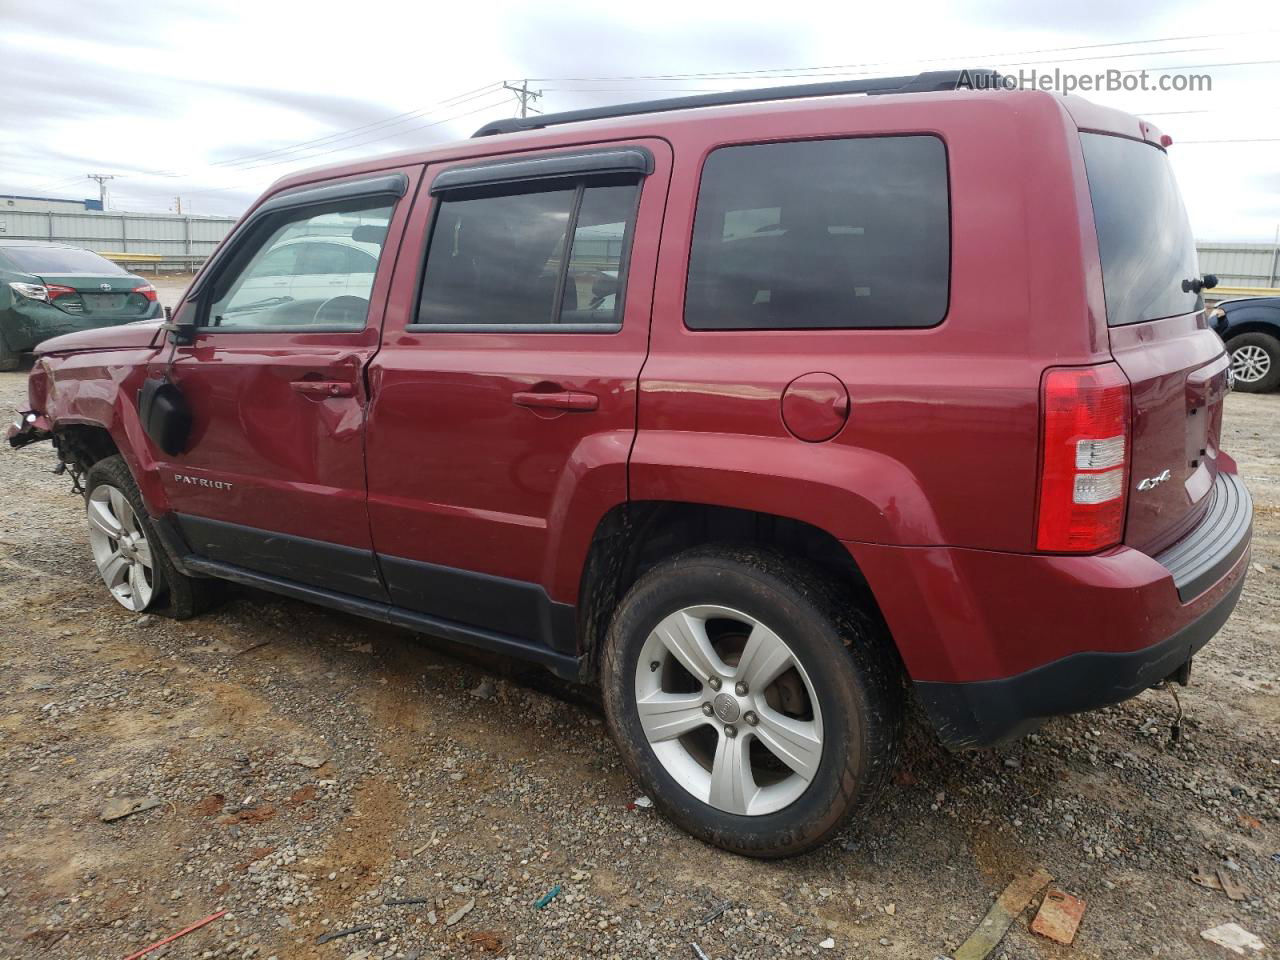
(129, 555)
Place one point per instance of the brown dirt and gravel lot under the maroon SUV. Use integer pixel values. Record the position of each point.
(310, 767)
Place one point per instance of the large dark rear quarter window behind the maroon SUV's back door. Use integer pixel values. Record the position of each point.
(822, 235)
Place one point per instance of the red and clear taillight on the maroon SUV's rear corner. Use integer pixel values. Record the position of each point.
(1085, 468)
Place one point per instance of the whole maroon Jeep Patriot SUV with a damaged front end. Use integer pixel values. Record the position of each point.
(767, 412)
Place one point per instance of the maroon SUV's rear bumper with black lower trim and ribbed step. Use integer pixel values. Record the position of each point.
(996, 643)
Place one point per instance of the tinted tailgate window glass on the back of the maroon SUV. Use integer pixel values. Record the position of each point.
(1145, 239)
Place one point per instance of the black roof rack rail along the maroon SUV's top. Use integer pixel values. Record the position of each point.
(929, 83)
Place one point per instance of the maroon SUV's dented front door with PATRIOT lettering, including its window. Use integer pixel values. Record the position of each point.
(273, 478)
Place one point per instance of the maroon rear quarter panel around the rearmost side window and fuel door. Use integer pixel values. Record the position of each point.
(941, 446)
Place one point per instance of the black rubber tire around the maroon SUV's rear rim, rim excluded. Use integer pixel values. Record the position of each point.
(853, 670)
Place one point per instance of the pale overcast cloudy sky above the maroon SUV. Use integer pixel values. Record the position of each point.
(213, 102)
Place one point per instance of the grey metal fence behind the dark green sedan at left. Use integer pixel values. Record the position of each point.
(157, 240)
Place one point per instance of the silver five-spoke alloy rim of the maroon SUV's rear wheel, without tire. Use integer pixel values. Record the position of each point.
(729, 711)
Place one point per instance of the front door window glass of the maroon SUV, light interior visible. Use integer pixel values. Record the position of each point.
(271, 285)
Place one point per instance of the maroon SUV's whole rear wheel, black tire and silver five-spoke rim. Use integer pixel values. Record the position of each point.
(755, 705)
